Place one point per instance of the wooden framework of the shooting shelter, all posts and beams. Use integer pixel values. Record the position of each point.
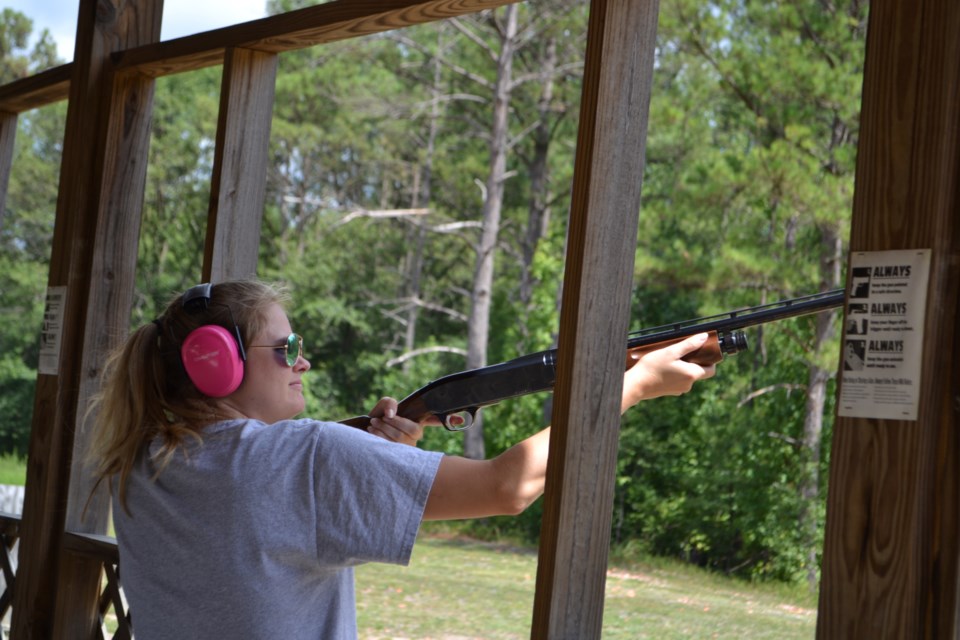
(891, 555)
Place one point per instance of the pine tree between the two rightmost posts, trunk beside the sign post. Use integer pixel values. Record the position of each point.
(751, 177)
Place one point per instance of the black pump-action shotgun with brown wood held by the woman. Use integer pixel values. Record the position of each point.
(455, 399)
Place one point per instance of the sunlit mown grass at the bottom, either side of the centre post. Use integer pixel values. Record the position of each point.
(464, 590)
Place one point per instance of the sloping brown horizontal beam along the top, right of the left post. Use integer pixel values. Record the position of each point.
(328, 22)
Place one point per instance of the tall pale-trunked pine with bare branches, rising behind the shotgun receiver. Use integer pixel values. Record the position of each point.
(504, 38)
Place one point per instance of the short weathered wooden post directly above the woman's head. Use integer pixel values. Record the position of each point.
(238, 184)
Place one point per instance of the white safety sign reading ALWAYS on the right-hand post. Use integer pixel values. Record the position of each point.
(883, 335)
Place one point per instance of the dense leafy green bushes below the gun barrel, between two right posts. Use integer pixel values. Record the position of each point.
(713, 476)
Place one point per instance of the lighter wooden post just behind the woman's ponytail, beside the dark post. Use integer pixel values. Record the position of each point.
(125, 153)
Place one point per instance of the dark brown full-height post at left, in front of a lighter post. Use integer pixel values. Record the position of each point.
(102, 27)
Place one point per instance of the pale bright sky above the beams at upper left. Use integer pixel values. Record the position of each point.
(180, 17)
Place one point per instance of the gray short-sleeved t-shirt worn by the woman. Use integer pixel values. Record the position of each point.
(254, 533)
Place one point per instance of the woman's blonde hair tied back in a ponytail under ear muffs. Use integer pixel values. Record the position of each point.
(145, 394)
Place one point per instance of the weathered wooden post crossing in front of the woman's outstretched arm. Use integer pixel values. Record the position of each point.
(596, 299)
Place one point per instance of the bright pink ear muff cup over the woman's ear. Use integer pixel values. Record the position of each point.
(212, 361)
